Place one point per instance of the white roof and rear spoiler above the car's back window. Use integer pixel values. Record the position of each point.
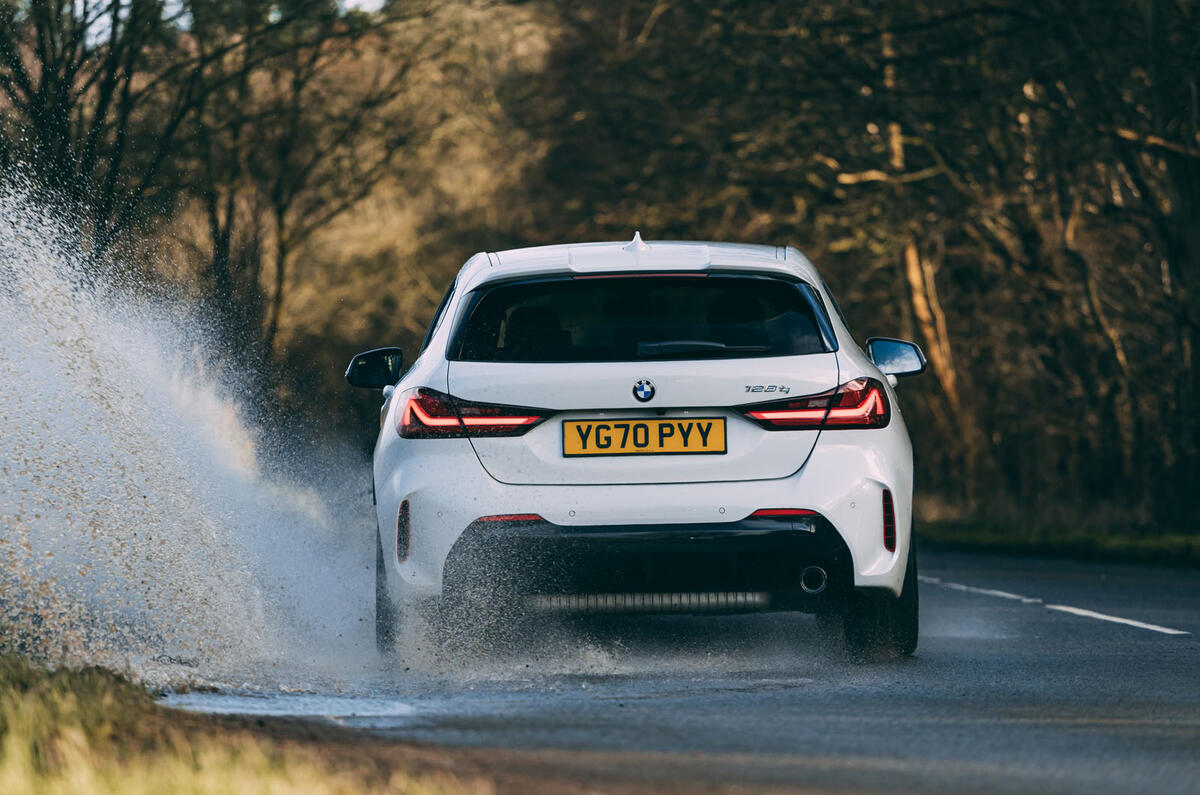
(635, 256)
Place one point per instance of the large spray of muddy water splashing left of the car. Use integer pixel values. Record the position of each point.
(141, 527)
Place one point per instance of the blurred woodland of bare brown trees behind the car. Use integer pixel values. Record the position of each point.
(1013, 186)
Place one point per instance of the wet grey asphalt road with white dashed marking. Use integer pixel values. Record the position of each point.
(1012, 690)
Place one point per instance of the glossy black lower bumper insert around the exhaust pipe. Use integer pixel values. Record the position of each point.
(751, 565)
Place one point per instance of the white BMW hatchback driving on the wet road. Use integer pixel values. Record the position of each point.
(646, 428)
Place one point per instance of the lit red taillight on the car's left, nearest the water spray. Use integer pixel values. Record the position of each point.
(429, 414)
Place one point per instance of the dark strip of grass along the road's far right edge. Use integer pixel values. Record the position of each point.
(1082, 542)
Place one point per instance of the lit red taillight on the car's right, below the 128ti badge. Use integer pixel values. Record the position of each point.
(862, 403)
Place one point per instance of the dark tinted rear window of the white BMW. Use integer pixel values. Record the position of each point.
(627, 319)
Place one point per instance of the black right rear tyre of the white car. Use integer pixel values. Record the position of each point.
(885, 627)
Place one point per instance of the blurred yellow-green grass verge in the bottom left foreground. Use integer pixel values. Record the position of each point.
(89, 731)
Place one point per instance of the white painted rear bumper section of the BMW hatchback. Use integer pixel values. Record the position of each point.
(843, 481)
